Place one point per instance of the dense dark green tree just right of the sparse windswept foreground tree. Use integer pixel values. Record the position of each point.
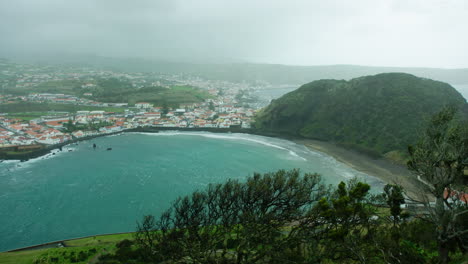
(346, 225)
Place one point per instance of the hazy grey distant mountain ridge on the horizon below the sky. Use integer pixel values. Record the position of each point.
(250, 72)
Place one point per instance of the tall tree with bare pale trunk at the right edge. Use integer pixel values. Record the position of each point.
(438, 161)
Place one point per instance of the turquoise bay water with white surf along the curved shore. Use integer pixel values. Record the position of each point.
(86, 192)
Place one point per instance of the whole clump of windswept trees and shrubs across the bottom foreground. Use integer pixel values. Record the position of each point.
(281, 217)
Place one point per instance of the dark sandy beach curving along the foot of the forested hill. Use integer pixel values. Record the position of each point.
(383, 169)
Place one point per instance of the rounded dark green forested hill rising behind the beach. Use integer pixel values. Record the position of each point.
(379, 114)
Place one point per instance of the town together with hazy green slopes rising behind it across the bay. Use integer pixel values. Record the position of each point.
(229, 104)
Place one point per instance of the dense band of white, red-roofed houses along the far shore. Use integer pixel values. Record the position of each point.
(56, 128)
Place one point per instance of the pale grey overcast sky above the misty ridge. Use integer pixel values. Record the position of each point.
(426, 33)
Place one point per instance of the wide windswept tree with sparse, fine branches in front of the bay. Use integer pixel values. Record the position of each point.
(240, 222)
